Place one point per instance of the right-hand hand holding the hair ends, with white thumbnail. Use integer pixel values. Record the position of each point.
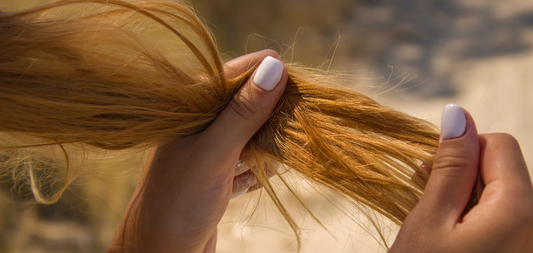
(503, 219)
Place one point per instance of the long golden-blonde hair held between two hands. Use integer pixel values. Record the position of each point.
(114, 75)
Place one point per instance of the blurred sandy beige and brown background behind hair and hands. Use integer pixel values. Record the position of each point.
(475, 53)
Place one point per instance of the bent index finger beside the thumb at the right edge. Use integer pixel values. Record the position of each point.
(507, 199)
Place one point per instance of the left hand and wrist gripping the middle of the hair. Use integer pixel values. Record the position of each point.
(185, 189)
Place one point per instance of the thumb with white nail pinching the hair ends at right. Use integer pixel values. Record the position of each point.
(455, 167)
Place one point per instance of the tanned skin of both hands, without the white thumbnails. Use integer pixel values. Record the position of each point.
(187, 184)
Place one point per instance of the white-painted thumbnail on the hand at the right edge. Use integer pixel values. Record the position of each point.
(453, 122)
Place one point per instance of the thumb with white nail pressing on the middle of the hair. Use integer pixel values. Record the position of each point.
(251, 106)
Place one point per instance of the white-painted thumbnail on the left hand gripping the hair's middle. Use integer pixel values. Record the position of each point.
(268, 74)
